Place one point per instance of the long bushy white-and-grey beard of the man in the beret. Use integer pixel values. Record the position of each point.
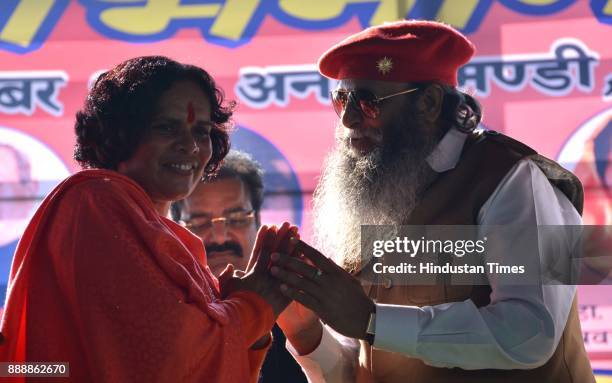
(376, 189)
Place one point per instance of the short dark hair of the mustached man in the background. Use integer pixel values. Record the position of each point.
(242, 166)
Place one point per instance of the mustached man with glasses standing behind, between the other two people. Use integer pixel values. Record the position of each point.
(225, 213)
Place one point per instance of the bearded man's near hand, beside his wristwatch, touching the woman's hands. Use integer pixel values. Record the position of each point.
(325, 288)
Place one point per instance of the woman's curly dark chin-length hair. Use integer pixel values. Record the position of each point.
(120, 105)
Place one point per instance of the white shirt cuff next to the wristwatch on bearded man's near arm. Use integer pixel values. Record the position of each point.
(397, 328)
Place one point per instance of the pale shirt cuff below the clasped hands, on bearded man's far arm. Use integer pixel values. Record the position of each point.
(324, 359)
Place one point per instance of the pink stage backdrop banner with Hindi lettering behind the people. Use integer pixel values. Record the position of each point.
(543, 72)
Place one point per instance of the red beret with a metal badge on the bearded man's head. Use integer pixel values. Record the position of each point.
(402, 51)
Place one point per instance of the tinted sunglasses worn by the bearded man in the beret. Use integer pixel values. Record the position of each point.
(364, 100)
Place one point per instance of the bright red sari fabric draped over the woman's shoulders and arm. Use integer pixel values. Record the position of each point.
(101, 281)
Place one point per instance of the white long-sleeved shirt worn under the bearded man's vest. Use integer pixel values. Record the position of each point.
(519, 329)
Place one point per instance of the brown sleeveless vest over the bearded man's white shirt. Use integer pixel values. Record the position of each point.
(455, 199)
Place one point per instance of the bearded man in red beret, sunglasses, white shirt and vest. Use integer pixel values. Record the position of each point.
(407, 153)
